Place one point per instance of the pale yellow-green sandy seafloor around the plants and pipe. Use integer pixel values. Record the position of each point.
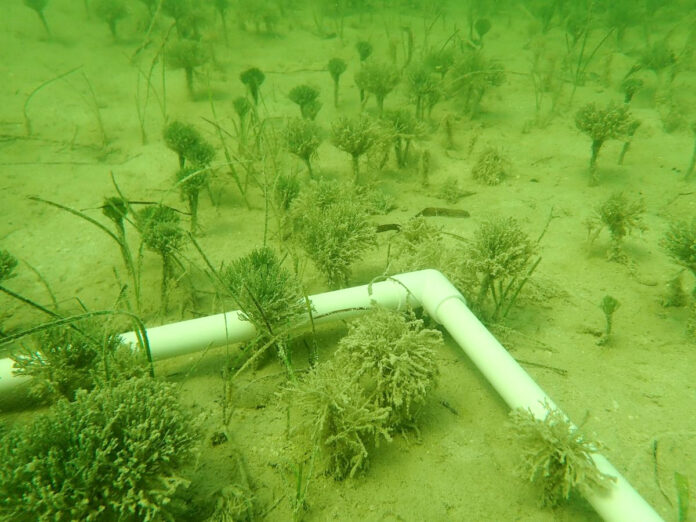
(638, 389)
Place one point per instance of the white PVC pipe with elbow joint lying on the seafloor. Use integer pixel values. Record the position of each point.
(446, 305)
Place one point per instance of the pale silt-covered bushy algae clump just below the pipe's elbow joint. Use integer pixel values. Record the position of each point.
(375, 386)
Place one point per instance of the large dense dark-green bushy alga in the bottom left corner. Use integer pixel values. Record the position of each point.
(115, 453)
